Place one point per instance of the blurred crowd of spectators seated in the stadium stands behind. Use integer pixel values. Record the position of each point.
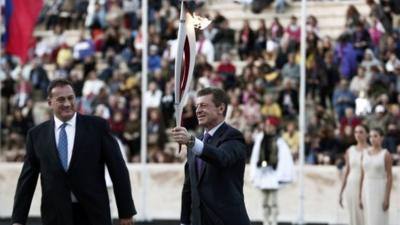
(352, 80)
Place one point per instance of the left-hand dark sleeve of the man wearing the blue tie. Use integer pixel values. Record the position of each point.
(26, 184)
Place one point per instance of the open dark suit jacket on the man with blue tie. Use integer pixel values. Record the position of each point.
(94, 147)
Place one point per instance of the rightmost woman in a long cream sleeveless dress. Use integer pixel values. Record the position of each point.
(376, 181)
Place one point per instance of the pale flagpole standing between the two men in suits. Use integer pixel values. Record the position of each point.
(143, 141)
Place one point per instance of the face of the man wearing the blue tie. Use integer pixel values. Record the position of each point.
(62, 102)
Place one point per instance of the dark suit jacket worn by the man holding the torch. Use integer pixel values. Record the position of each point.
(216, 197)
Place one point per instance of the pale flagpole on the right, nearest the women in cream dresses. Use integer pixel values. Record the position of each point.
(300, 219)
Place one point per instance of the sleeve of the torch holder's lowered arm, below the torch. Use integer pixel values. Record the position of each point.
(186, 198)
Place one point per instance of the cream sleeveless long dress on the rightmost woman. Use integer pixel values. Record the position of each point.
(374, 187)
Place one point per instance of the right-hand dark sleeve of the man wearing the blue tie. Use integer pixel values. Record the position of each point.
(119, 174)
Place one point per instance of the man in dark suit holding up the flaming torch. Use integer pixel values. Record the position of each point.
(213, 189)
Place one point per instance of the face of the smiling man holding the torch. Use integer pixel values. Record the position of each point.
(208, 114)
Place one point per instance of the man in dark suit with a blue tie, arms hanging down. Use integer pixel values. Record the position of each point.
(70, 152)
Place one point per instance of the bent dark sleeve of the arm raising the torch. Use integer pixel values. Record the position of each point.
(231, 150)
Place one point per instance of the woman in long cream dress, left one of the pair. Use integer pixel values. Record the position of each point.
(351, 183)
